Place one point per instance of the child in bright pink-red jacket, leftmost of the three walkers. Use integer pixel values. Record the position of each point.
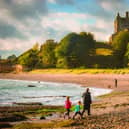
(67, 107)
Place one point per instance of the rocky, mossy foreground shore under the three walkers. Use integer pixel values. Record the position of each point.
(111, 112)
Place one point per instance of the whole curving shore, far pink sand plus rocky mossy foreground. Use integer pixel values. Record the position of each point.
(110, 112)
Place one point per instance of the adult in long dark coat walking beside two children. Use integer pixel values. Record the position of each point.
(86, 102)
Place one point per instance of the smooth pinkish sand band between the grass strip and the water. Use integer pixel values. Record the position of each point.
(90, 80)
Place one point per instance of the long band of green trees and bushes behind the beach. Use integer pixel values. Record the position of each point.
(74, 51)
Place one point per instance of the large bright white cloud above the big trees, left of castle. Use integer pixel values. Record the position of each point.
(60, 24)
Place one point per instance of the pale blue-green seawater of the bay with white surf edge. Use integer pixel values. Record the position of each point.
(48, 93)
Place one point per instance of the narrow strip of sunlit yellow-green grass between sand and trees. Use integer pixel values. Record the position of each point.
(80, 71)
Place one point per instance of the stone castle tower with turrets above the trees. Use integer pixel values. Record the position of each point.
(120, 23)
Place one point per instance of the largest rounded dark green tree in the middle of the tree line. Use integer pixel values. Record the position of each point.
(73, 50)
